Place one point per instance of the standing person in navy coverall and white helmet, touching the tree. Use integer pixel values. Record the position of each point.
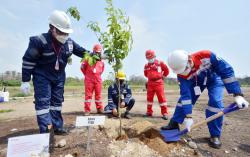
(45, 59)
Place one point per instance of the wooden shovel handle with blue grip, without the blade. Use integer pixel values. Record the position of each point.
(232, 107)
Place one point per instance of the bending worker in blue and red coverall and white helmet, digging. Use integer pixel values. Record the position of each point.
(198, 71)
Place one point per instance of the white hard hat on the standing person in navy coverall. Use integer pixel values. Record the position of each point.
(61, 21)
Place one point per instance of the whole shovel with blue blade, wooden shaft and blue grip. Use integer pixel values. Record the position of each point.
(175, 134)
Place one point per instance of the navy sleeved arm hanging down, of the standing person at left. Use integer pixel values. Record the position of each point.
(30, 58)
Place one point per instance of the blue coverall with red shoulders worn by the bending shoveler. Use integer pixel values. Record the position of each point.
(210, 72)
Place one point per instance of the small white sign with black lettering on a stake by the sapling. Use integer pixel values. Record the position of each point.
(89, 120)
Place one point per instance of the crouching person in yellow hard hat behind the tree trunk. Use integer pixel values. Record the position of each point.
(126, 100)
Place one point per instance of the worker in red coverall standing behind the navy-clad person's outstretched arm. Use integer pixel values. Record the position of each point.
(93, 81)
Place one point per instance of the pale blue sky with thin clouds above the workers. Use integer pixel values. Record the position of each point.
(162, 25)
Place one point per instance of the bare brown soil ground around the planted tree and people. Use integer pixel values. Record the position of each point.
(140, 135)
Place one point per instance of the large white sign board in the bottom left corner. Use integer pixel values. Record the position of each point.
(26, 146)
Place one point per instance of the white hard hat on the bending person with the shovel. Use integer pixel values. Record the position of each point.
(178, 60)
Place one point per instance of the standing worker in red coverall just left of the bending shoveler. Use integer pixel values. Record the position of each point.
(155, 71)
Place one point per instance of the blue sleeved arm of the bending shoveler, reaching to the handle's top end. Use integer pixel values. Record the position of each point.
(226, 72)
